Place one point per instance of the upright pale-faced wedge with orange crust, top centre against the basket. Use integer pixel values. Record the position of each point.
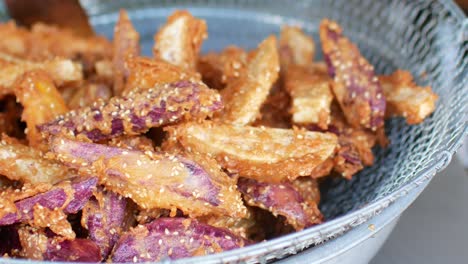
(179, 40)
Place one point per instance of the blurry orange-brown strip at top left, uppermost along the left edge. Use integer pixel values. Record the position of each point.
(44, 42)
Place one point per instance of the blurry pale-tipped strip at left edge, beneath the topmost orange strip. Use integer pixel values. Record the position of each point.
(62, 71)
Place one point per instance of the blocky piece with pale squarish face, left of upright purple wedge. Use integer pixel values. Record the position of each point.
(311, 96)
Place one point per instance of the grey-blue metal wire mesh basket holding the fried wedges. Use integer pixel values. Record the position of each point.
(426, 37)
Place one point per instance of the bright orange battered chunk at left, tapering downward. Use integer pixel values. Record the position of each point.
(41, 102)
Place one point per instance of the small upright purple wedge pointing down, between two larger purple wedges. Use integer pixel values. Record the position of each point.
(104, 216)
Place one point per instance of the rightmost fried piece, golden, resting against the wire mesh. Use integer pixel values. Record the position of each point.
(406, 99)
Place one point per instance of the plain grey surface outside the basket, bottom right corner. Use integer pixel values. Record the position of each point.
(434, 229)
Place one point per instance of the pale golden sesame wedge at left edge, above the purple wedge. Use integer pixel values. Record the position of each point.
(23, 163)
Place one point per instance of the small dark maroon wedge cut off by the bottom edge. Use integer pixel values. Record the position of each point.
(77, 250)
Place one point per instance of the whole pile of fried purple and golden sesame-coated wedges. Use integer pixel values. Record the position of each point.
(106, 155)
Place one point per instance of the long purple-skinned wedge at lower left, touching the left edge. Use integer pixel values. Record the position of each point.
(77, 192)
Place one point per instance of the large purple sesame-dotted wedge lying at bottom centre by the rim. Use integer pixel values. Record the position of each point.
(173, 238)
